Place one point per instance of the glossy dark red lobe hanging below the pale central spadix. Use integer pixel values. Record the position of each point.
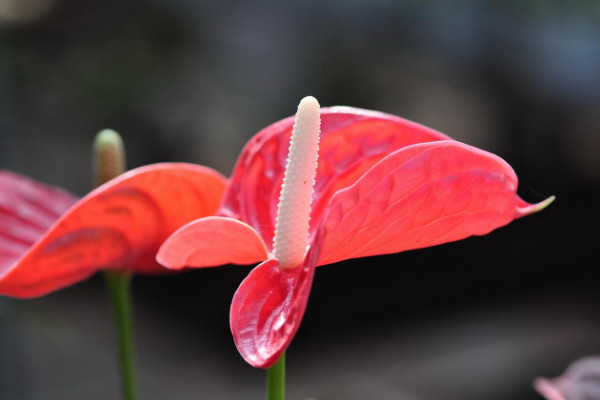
(268, 307)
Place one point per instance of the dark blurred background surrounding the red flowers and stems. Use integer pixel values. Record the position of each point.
(192, 81)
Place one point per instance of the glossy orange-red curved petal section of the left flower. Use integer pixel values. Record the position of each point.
(119, 225)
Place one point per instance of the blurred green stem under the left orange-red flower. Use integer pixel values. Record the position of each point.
(118, 284)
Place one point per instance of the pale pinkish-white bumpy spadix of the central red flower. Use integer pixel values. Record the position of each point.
(295, 201)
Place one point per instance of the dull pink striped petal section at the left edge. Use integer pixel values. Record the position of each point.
(27, 209)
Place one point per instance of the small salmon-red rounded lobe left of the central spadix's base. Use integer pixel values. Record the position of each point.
(210, 242)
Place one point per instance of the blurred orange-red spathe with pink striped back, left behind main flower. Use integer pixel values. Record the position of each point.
(49, 241)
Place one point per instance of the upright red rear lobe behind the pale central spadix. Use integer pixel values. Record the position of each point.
(352, 141)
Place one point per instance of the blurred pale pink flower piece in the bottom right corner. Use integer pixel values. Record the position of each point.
(581, 381)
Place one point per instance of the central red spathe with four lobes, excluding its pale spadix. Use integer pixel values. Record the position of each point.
(383, 185)
